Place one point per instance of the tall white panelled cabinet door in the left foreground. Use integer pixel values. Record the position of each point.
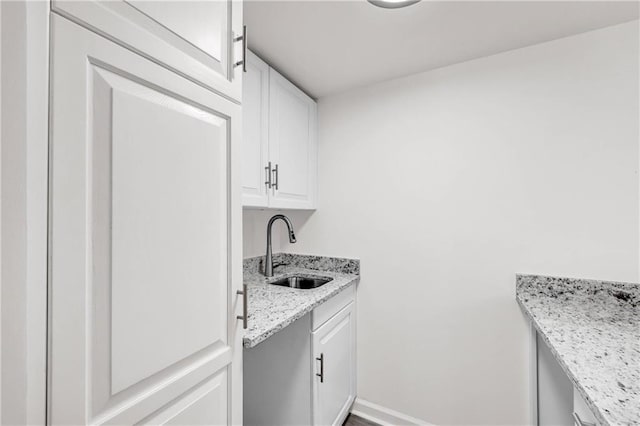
(144, 265)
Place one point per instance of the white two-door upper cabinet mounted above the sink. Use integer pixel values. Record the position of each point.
(280, 141)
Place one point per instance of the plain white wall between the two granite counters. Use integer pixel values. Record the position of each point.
(446, 184)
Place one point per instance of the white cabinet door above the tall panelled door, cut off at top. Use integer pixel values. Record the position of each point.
(198, 39)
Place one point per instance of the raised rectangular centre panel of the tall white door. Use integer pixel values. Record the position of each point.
(168, 232)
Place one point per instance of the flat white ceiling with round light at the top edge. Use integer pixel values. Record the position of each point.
(329, 46)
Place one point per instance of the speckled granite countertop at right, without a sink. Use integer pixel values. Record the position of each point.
(593, 330)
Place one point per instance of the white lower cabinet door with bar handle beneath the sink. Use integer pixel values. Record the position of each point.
(333, 348)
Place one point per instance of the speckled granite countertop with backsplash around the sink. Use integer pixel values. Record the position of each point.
(272, 308)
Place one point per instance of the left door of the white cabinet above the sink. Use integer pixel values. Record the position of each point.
(255, 136)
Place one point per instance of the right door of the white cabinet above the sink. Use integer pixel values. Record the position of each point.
(292, 145)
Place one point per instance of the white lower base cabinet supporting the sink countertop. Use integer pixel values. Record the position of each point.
(306, 373)
